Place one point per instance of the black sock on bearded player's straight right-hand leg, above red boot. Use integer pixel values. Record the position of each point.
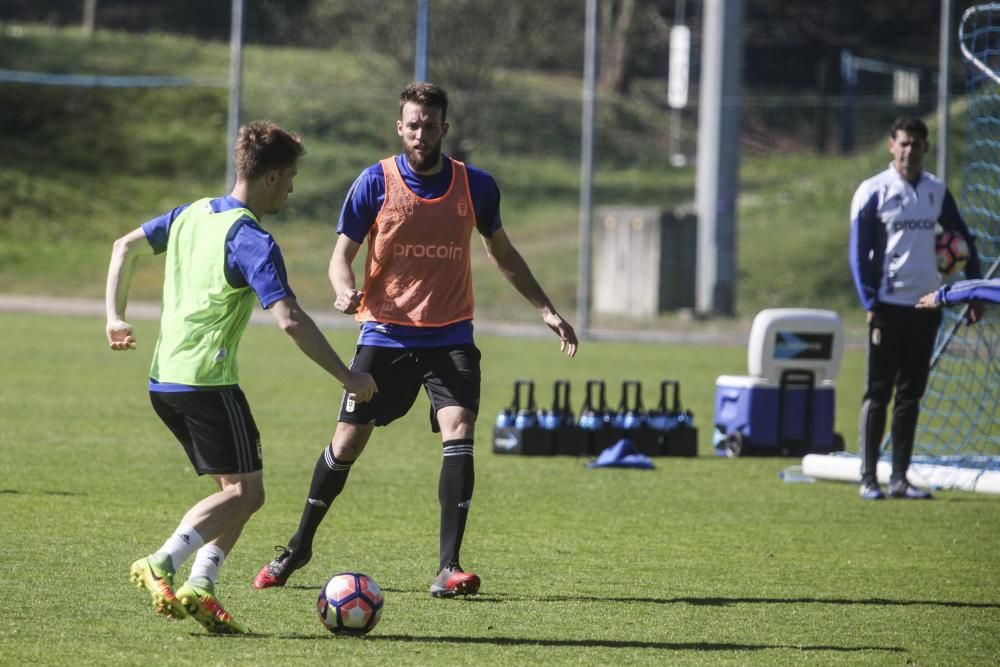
(455, 494)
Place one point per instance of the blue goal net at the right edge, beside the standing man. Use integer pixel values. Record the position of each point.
(960, 414)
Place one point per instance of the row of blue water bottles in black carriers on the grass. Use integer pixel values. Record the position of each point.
(524, 428)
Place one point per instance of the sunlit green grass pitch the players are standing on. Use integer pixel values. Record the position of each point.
(701, 561)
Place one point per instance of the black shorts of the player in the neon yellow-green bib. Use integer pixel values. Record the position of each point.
(216, 428)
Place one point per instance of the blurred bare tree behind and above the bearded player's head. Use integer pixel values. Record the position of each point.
(470, 43)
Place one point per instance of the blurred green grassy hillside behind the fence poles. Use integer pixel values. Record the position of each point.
(84, 165)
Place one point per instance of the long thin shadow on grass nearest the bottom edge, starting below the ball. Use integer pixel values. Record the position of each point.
(603, 643)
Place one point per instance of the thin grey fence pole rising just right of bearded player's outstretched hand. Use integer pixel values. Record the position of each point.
(583, 286)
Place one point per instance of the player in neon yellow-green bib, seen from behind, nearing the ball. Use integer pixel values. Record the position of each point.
(218, 262)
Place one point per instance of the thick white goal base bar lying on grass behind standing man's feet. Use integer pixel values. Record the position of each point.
(841, 468)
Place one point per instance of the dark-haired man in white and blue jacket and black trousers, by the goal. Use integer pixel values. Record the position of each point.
(893, 261)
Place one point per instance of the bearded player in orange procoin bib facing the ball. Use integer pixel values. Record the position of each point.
(417, 210)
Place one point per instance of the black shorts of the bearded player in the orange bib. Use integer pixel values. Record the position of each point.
(449, 375)
